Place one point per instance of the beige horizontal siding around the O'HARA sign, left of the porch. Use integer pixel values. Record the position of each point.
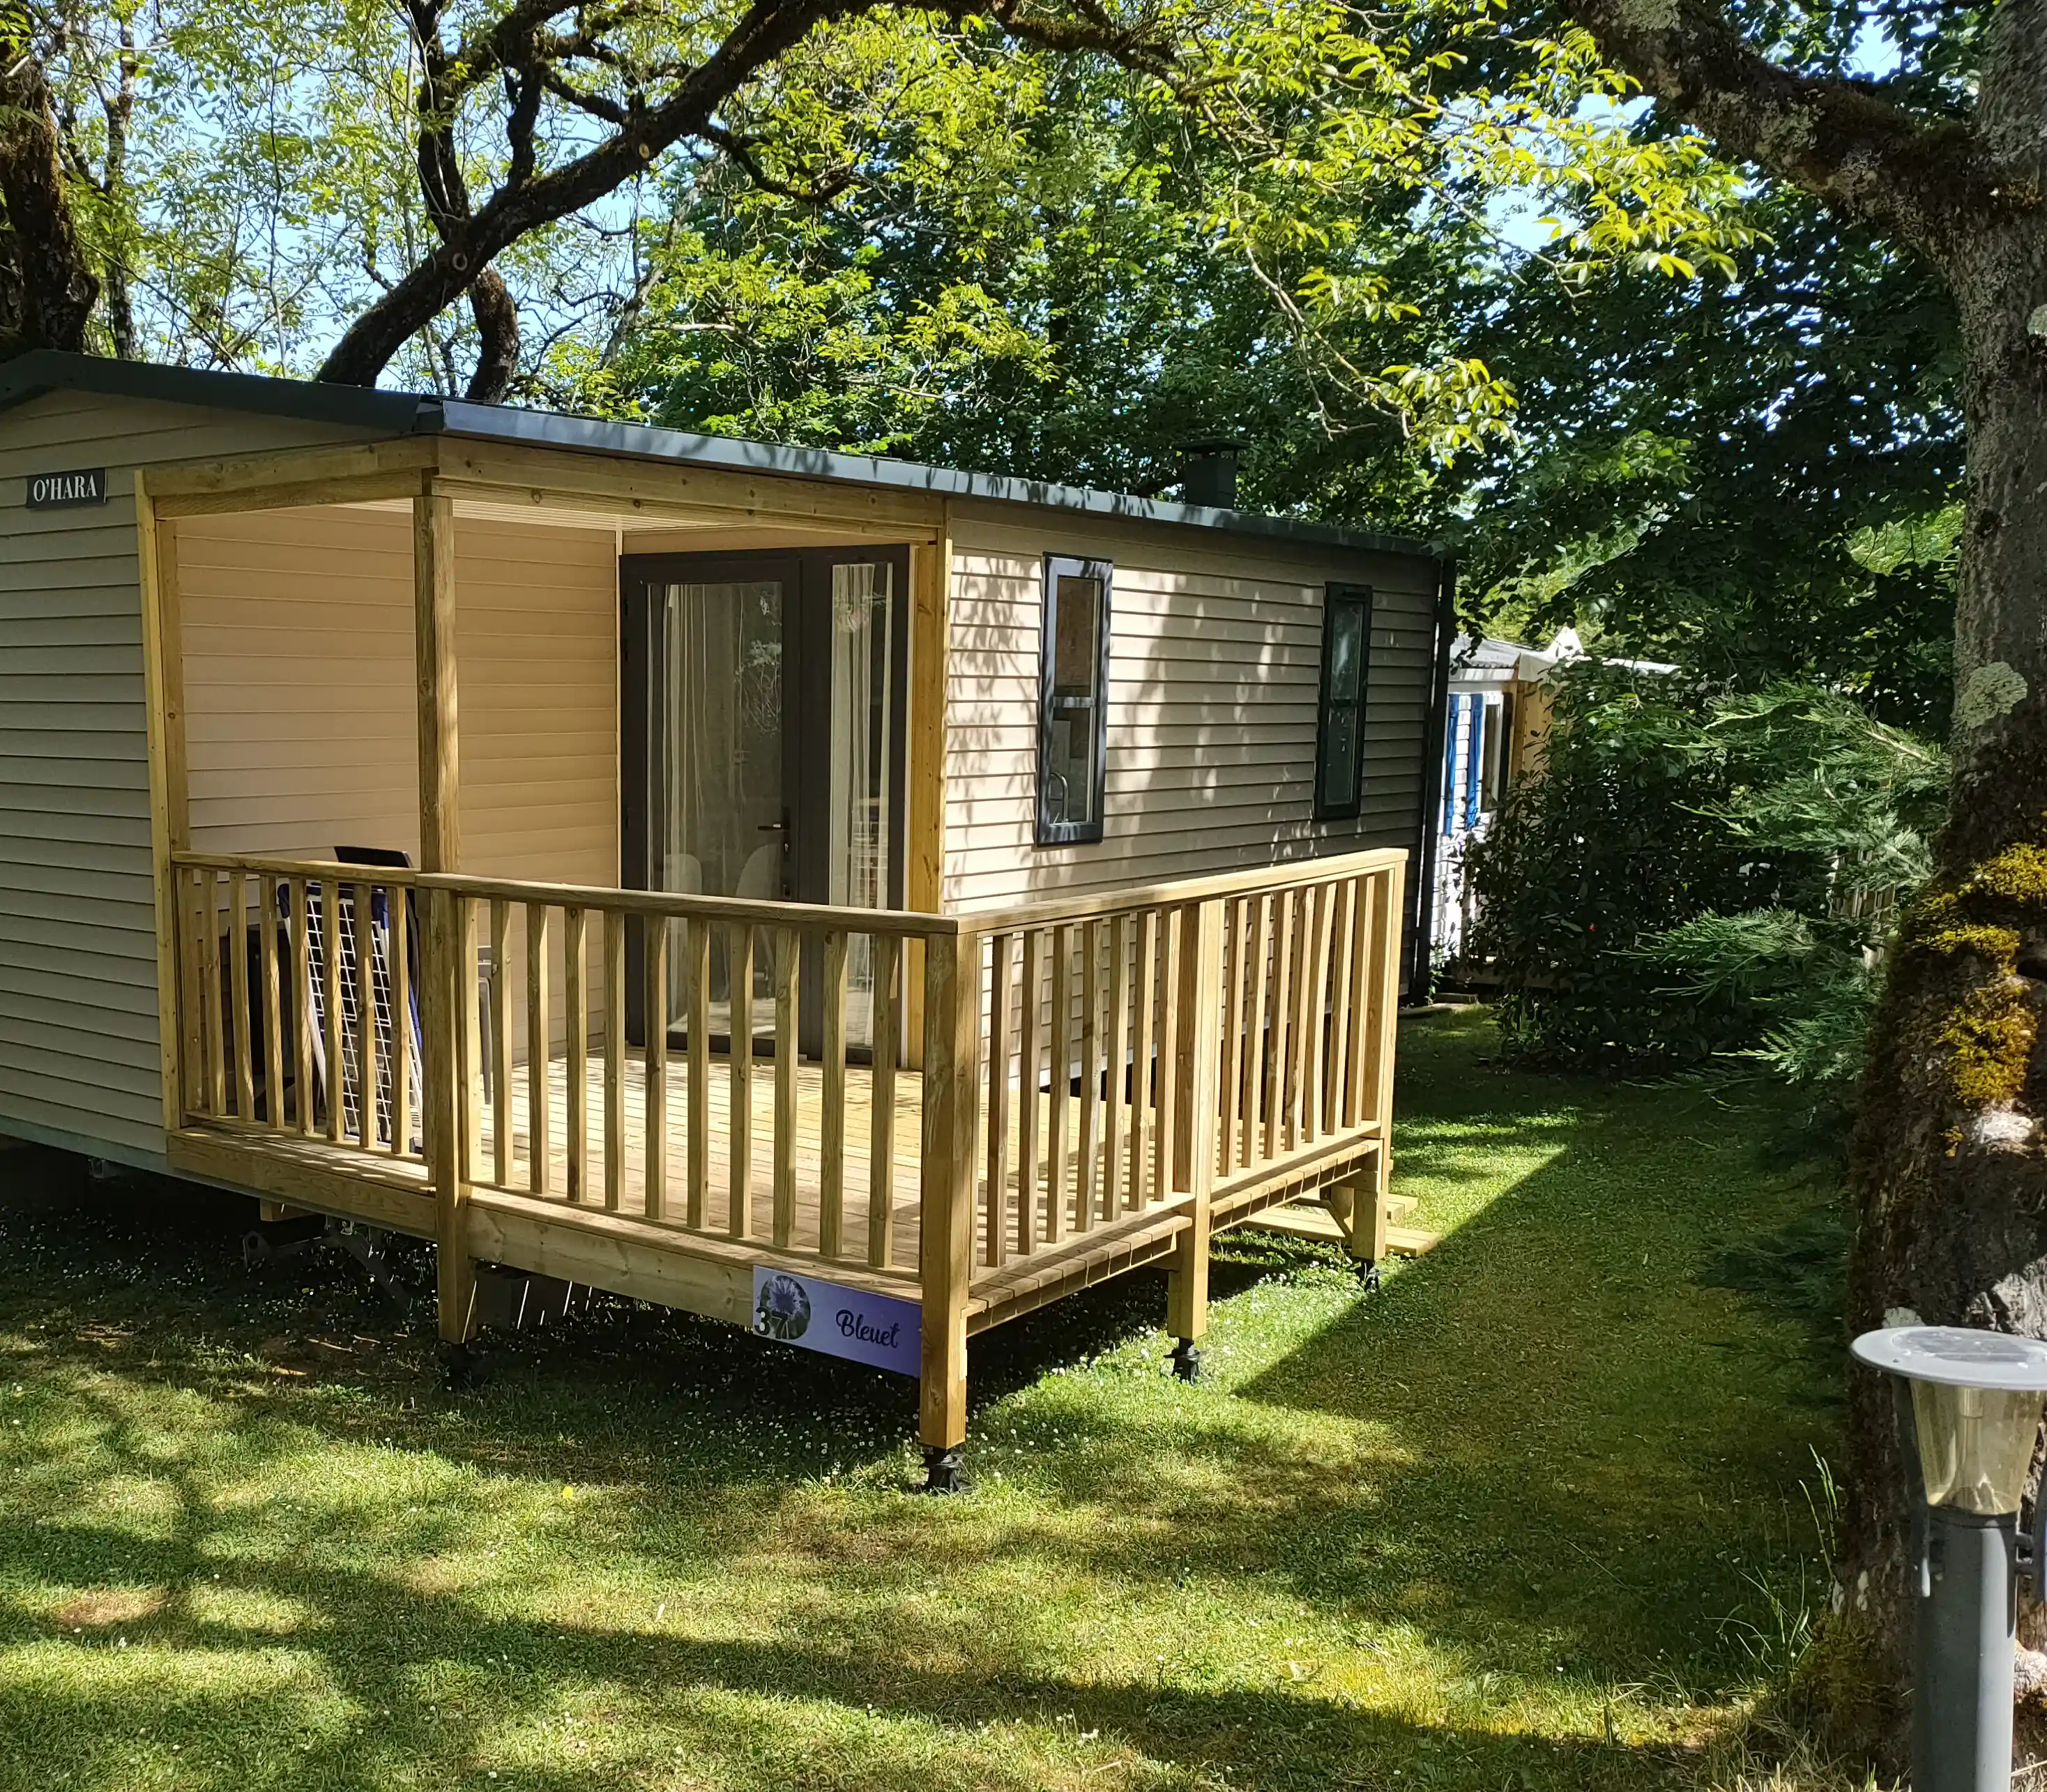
(79, 994)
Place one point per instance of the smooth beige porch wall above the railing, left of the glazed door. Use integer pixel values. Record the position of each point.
(300, 685)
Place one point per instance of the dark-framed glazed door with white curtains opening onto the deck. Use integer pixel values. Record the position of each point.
(763, 751)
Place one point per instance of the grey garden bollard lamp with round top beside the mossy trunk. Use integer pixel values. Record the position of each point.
(1976, 1410)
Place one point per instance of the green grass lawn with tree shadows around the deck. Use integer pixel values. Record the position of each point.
(1534, 1517)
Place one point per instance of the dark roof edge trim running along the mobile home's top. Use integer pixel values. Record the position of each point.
(404, 415)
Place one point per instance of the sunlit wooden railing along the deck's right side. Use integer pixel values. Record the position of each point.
(1205, 1037)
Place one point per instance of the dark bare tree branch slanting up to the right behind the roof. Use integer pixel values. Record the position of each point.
(763, 34)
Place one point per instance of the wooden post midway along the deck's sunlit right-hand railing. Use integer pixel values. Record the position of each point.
(1196, 1068)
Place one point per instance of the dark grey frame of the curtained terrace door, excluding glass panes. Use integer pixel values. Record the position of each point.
(805, 730)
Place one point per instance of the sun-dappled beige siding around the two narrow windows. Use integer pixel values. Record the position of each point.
(1215, 671)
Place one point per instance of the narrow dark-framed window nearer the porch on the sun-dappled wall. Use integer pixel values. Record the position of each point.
(1074, 716)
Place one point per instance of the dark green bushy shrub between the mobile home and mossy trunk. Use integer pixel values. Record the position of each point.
(1704, 873)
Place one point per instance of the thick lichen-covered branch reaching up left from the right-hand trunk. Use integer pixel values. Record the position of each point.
(1929, 183)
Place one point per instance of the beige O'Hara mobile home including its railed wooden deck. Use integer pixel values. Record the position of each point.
(717, 873)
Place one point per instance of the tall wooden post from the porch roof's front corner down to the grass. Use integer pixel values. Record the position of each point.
(441, 849)
